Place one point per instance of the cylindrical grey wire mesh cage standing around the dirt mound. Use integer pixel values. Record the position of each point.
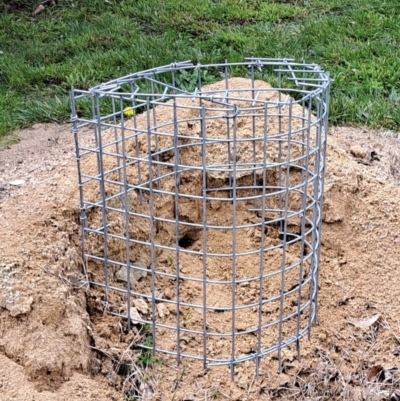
(201, 204)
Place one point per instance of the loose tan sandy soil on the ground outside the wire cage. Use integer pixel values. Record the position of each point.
(57, 344)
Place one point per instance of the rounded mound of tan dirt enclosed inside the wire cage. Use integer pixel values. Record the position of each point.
(179, 214)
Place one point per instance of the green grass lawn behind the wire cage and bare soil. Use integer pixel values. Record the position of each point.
(75, 44)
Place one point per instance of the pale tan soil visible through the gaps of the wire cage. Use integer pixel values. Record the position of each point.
(218, 213)
